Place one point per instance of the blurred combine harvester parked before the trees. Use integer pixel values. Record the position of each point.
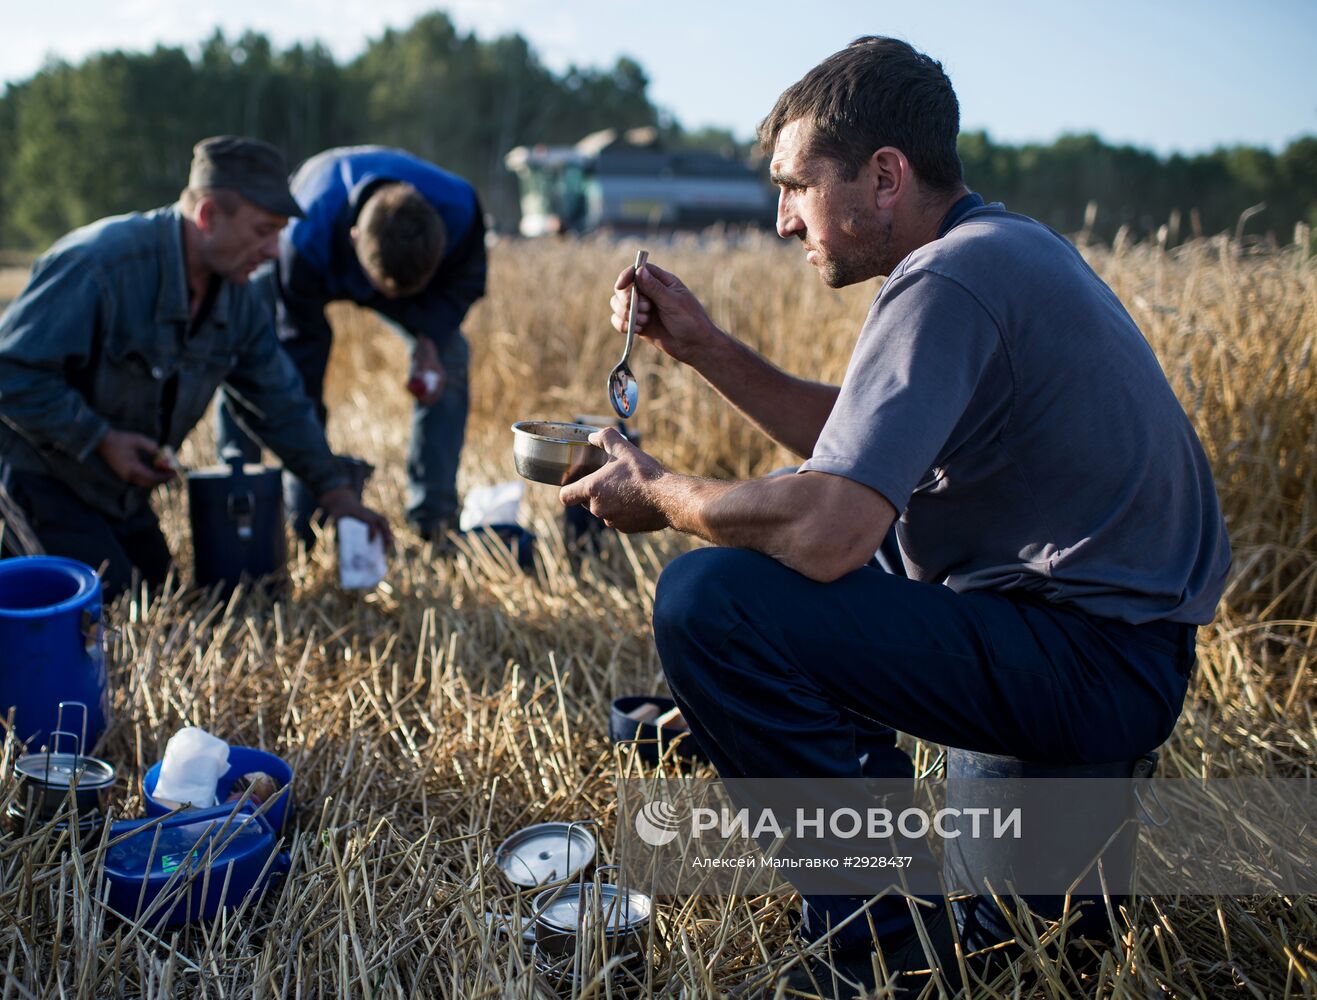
(629, 184)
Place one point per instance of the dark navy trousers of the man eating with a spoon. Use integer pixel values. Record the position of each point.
(780, 677)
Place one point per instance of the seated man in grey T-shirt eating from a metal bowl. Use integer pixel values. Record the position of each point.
(1057, 518)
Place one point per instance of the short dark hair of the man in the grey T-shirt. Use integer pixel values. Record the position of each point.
(875, 93)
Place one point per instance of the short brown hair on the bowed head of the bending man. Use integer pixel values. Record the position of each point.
(401, 239)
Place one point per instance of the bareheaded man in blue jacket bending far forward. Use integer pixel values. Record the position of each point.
(388, 231)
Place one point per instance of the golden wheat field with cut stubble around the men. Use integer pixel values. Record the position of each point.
(464, 700)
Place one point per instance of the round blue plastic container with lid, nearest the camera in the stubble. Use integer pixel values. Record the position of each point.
(190, 866)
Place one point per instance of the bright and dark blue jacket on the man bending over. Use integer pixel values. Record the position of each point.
(318, 262)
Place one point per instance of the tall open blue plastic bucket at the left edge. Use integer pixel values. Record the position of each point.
(51, 646)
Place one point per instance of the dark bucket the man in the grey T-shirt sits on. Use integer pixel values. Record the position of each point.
(1057, 844)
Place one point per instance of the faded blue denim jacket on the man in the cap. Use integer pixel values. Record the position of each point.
(99, 334)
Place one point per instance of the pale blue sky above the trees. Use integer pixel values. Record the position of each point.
(1173, 77)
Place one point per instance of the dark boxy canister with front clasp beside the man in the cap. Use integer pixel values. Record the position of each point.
(238, 525)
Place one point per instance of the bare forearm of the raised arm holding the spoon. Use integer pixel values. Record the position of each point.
(790, 410)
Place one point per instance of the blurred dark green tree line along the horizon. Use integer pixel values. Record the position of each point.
(114, 134)
